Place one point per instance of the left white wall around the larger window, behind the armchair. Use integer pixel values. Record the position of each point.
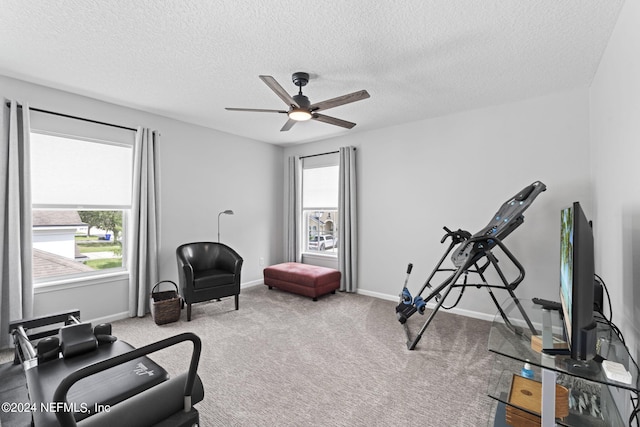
(202, 172)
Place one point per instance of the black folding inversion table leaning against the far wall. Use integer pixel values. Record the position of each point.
(471, 249)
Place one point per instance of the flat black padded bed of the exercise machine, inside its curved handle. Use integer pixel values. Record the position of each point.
(104, 388)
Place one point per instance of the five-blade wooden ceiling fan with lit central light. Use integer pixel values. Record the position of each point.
(300, 108)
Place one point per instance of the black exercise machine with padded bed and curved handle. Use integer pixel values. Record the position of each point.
(79, 375)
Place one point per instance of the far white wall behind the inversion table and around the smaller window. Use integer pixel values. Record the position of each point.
(457, 171)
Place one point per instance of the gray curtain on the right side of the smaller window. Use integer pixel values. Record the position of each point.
(347, 221)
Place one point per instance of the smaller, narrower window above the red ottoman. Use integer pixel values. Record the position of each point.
(320, 204)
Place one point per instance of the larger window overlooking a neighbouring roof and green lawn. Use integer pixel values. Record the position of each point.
(81, 197)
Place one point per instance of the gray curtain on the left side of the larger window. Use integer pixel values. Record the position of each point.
(16, 292)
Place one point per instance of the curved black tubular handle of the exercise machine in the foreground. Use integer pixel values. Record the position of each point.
(66, 419)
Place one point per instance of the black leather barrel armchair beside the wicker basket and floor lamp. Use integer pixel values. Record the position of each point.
(206, 271)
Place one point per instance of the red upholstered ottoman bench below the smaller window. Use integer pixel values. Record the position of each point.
(304, 279)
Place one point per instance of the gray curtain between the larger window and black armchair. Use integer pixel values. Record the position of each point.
(143, 234)
